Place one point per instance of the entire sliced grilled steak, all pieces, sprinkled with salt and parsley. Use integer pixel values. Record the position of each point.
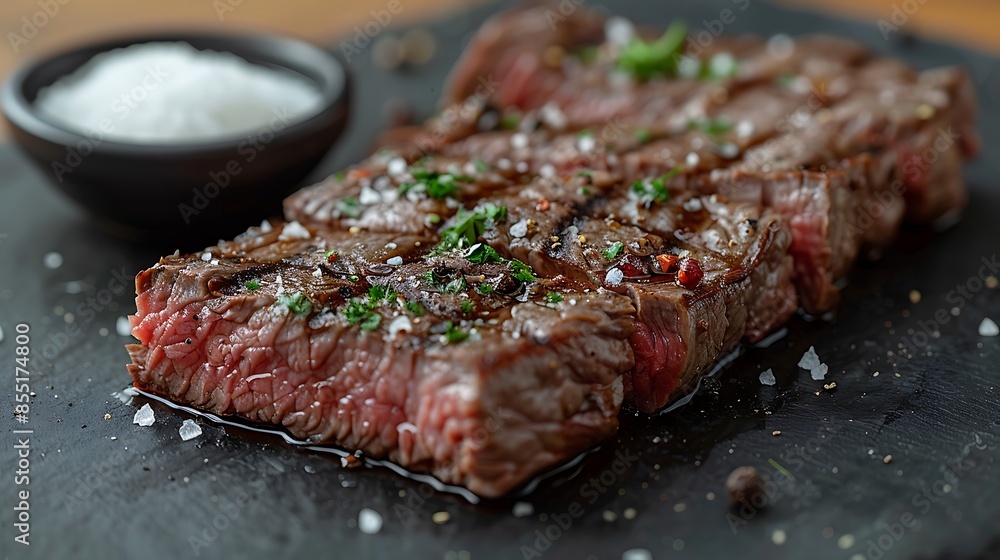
(480, 298)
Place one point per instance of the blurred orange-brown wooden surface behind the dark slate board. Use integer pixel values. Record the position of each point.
(968, 22)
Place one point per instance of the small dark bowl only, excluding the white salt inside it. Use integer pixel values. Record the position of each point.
(182, 190)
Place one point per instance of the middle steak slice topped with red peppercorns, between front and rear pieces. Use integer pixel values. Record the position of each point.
(563, 226)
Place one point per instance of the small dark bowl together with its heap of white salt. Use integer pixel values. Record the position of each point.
(163, 173)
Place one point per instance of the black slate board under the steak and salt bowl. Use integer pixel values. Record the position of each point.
(107, 488)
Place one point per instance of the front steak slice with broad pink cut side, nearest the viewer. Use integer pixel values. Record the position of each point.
(260, 331)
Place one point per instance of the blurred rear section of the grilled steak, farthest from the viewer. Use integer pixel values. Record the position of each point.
(837, 141)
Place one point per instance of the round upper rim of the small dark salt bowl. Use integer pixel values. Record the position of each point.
(22, 114)
